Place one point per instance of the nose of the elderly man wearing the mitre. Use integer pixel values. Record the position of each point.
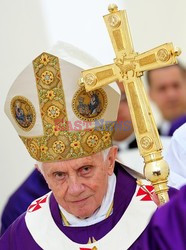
(75, 187)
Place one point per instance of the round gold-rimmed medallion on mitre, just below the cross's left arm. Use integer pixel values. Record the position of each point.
(89, 106)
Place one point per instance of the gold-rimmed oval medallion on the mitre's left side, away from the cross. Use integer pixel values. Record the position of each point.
(23, 112)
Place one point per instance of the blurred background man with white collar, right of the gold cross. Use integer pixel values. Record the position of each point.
(167, 89)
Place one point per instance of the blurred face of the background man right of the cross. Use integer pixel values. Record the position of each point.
(168, 91)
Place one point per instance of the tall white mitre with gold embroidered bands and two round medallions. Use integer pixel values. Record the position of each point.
(55, 117)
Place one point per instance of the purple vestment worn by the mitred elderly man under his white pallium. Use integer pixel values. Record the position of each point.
(18, 237)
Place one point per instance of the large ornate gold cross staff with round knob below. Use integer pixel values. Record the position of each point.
(128, 67)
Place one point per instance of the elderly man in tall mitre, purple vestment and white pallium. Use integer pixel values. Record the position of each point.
(95, 202)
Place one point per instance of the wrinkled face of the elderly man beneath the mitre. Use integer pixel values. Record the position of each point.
(79, 185)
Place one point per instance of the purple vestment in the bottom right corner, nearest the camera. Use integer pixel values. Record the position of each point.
(167, 228)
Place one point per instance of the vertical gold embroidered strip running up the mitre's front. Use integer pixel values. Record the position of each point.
(50, 90)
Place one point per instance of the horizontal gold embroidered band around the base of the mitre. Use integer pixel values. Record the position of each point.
(50, 148)
